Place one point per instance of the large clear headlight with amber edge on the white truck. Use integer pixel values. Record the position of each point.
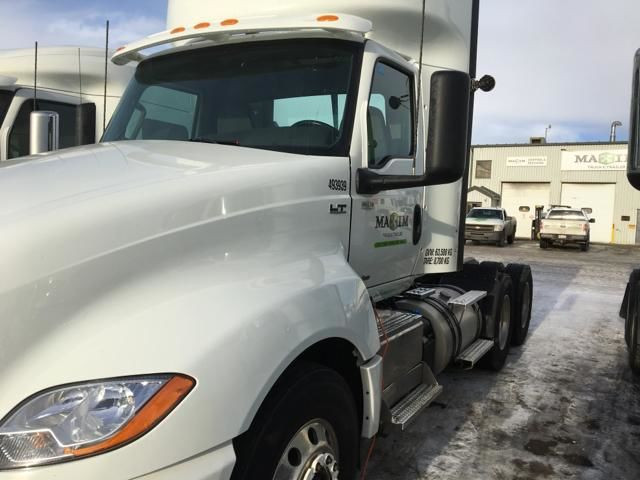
(74, 421)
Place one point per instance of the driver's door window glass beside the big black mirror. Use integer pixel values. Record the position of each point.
(390, 119)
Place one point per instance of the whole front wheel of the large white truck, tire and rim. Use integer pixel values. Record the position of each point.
(306, 429)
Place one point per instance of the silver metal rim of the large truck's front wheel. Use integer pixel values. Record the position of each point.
(311, 454)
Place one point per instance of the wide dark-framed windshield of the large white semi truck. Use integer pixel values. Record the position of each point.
(291, 96)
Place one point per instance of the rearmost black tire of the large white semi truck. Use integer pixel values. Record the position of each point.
(522, 295)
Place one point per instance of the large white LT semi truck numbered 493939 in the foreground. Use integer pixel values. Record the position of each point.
(261, 268)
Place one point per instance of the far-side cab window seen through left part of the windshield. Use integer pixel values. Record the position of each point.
(163, 113)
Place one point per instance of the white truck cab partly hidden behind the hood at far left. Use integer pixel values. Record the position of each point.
(70, 82)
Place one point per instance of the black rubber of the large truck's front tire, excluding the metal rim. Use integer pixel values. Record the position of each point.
(306, 393)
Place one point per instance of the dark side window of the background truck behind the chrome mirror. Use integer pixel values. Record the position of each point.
(19, 136)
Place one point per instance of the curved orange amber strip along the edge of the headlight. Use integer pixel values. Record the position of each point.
(158, 407)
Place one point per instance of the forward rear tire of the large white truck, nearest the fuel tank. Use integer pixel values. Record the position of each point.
(497, 356)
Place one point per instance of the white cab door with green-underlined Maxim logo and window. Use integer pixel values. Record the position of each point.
(386, 227)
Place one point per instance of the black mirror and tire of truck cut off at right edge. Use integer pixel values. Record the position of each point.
(630, 309)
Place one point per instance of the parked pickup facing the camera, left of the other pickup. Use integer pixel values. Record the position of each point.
(490, 225)
